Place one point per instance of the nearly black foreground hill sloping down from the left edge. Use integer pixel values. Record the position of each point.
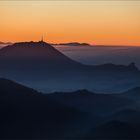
(28, 114)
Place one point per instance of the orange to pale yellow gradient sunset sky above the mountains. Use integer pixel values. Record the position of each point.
(95, 22)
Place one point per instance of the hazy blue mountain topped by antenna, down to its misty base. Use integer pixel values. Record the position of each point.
(42, 67)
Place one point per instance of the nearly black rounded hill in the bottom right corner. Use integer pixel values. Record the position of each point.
(115, 130)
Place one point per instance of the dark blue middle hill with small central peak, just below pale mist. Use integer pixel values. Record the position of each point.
(93, 103)
